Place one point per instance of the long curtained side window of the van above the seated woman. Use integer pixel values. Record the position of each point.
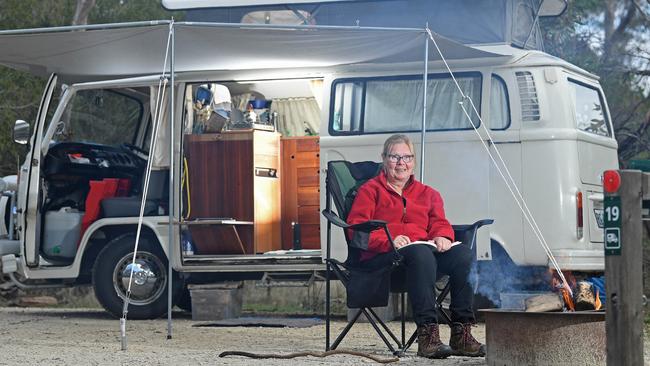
(394, 104)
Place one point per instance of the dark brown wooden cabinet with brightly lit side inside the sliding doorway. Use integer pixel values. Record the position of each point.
(234, 175)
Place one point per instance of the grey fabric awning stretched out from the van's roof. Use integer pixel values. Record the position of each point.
(129, 50)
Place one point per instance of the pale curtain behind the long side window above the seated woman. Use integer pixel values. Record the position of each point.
(396, 105)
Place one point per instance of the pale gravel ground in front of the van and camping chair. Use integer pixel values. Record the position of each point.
(30, 336)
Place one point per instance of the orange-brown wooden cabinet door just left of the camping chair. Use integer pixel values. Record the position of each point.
(300, 190)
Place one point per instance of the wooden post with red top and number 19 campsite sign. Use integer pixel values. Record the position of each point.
(624, 270)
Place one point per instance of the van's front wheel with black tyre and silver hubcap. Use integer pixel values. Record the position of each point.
(149, 288)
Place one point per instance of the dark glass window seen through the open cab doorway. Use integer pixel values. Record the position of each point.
(101, 116)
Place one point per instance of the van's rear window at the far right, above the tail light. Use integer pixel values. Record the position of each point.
(589, 109)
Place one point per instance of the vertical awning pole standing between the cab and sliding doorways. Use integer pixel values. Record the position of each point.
(170, 237)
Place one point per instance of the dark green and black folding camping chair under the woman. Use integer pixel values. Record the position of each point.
(342, 181)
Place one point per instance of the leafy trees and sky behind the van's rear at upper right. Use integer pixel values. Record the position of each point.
(611, 38)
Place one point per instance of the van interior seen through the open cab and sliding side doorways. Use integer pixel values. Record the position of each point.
(250, 167)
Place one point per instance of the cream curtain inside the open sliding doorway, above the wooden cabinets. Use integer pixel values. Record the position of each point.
(297, 116)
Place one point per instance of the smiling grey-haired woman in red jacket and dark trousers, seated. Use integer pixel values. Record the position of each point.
(415, 212)
